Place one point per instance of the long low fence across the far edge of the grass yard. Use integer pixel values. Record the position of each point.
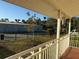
(16, 36)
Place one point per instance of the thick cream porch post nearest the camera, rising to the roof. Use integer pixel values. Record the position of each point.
(58, 34)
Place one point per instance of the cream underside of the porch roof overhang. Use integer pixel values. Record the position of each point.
(69, 8)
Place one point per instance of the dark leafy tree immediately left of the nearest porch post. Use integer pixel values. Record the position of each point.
(51, 25)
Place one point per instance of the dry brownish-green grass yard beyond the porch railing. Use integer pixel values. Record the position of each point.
(10, 47)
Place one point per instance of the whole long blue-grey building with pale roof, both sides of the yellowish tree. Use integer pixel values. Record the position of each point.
(6, 27)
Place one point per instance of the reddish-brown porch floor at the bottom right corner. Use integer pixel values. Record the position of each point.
(71, 53)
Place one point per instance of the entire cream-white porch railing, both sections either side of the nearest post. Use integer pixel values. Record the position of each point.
(44, 51)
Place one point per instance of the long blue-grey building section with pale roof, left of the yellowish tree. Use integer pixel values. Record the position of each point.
(6, 27)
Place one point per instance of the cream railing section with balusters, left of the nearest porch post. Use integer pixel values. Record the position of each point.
(43, 51)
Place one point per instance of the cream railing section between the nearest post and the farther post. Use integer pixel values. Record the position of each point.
(63, 44)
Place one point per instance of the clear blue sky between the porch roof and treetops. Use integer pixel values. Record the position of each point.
(12, 12)
